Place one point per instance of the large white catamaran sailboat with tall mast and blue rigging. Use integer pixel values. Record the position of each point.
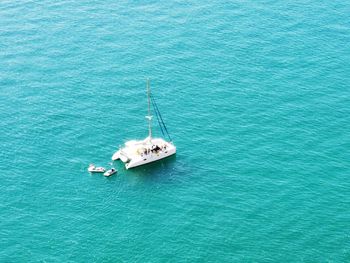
(140, 152)
